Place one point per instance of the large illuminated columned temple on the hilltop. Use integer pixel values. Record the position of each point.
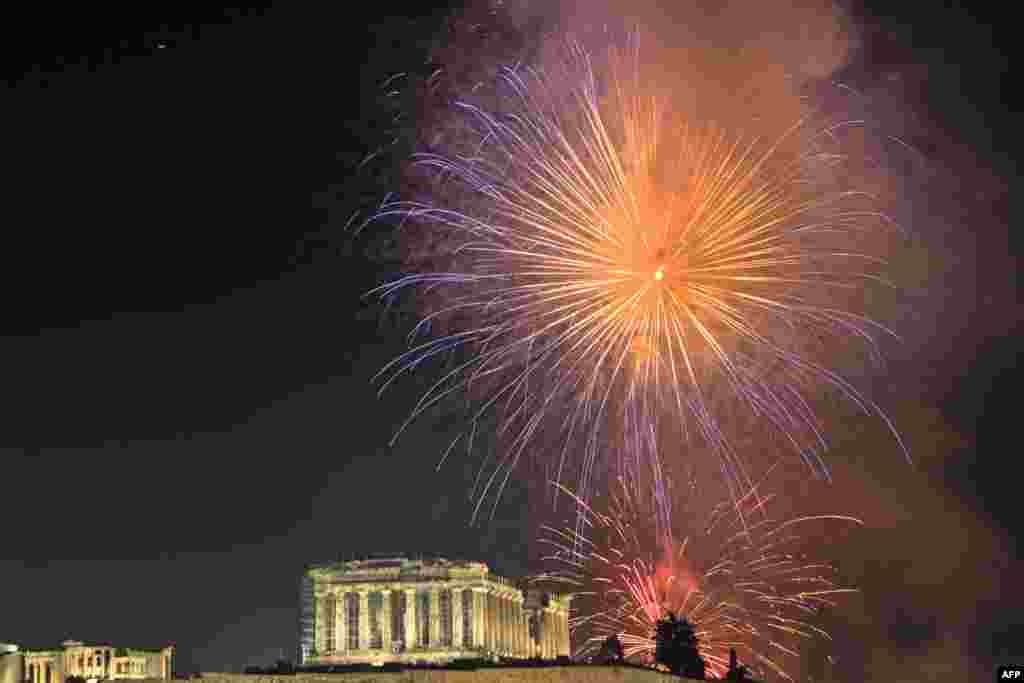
(403, 611)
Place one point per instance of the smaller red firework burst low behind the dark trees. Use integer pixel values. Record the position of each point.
(738, 580)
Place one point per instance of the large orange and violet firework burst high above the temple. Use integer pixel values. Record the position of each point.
(611, 275)
